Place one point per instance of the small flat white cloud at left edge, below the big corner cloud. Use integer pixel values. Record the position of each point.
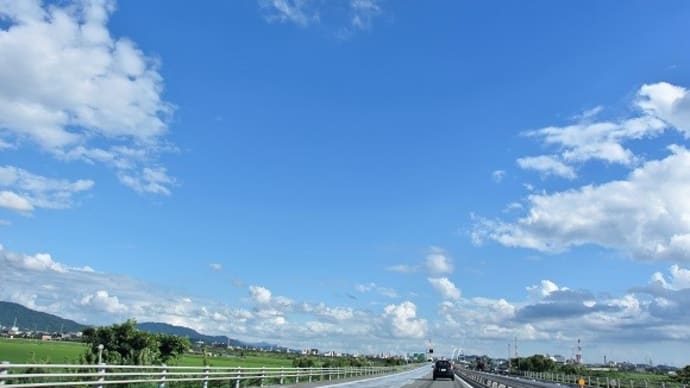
(37, 191)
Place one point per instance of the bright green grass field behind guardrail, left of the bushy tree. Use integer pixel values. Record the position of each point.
(20, 351)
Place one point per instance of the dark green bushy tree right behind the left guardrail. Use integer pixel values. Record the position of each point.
(125, 344)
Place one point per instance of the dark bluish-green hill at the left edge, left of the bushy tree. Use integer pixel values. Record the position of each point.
(32, 320)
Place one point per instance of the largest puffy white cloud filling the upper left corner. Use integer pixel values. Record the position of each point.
(70, 88)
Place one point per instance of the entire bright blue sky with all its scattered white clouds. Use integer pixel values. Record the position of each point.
(354, 175)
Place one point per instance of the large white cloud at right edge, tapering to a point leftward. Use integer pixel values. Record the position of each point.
(646, 214)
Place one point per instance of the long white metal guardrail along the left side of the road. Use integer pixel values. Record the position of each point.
(162, 376)
